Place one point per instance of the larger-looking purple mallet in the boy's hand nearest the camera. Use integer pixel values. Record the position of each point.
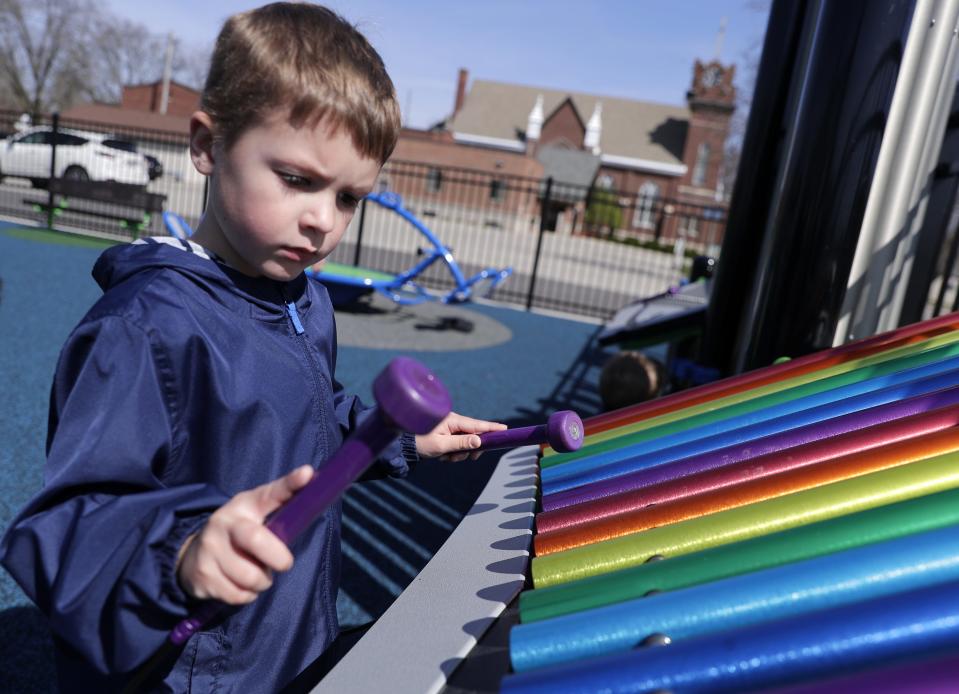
(408, 398)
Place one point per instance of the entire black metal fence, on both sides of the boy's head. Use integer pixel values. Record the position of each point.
(583, 250)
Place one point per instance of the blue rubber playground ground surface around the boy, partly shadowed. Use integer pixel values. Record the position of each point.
(497, 362)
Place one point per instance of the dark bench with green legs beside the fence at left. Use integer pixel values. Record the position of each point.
(121, 195)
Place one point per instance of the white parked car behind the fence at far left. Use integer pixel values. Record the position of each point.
(81, 156)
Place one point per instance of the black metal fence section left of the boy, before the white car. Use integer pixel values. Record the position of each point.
(126, 175)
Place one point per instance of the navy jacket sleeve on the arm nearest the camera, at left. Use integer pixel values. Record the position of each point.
(96, 548)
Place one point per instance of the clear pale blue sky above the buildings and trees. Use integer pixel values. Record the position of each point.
(634, 49)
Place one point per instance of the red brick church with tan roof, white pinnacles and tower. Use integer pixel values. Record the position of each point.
(664, 162)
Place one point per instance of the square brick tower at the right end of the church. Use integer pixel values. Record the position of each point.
(712, 100)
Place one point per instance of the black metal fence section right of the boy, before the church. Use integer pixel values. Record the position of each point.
(574, 249)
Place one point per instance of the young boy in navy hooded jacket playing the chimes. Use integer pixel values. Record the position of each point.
(198, 393)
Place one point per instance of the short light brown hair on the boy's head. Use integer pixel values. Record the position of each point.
(308, 60)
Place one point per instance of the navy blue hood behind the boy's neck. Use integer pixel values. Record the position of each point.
(123, 262)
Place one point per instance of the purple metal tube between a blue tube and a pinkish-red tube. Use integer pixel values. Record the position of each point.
(945, 398)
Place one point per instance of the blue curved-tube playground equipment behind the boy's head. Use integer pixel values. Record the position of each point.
(347, 283)
